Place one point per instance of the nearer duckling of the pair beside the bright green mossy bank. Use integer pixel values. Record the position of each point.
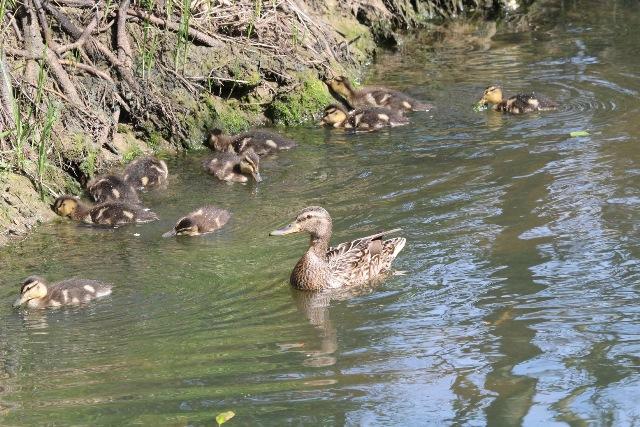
(365, 119)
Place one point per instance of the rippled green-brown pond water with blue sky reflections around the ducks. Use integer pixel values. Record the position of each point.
(521, 301)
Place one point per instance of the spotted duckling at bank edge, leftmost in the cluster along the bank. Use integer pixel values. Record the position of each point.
(107, 213)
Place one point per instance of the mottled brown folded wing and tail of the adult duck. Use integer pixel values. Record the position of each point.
(363, 259)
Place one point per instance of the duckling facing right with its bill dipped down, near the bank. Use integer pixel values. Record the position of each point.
(234, 167)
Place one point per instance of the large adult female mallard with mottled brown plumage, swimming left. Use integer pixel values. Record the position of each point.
(348, 264)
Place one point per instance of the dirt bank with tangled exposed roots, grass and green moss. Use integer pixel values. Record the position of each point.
(86, 85)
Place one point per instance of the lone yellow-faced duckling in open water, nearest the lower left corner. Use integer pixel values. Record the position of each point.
(36, 293)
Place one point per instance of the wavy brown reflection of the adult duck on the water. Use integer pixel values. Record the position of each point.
(315, 306)
